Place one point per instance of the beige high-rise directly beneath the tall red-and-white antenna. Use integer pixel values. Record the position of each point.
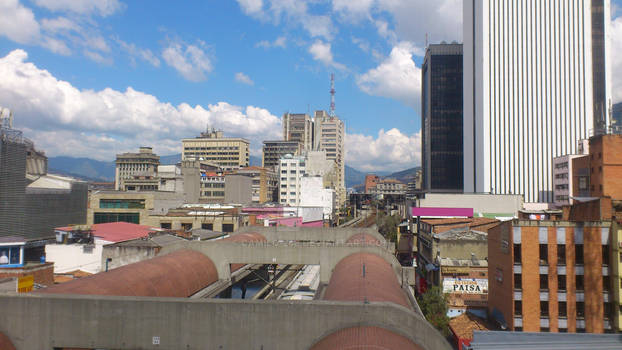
(329, 136)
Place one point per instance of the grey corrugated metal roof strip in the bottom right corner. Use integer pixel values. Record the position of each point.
(484, 340)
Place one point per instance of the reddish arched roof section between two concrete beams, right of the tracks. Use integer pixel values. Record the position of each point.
(365, 277)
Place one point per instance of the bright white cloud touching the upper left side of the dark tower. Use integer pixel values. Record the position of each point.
(397, 77)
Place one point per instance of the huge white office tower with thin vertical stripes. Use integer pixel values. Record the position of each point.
(533, 79)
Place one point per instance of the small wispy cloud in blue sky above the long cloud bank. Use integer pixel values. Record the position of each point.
(191, 61)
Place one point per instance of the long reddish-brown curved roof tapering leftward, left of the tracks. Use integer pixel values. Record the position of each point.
(178, 274)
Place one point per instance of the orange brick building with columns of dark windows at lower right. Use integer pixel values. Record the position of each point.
(551, 276)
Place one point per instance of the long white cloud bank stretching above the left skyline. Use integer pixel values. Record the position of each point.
(64, 120)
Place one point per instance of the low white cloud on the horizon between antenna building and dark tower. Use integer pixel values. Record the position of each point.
(390, 150)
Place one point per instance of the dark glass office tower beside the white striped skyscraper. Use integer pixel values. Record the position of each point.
(441, 118)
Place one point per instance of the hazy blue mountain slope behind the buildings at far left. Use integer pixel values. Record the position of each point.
(85, 168)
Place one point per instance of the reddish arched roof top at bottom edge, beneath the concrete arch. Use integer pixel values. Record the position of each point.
(365, 338)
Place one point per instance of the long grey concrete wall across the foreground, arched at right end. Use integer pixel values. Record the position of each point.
(50, 321)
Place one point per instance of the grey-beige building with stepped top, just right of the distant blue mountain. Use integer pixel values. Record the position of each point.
(144, 163)
